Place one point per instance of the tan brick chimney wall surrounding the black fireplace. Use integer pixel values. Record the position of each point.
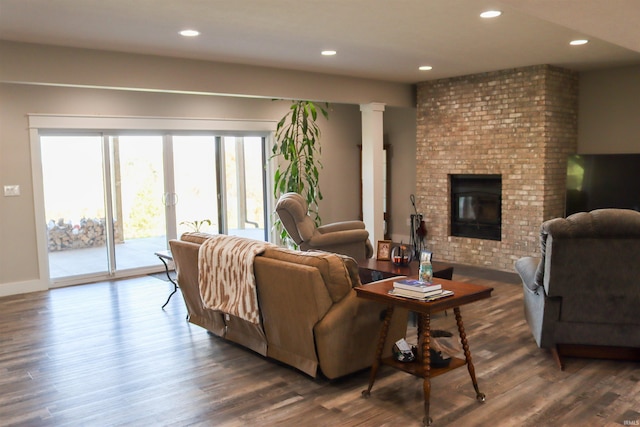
(519, 123)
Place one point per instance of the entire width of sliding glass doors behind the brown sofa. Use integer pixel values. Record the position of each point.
(111, 201)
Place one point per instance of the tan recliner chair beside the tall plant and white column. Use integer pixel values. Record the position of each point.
(345, 237)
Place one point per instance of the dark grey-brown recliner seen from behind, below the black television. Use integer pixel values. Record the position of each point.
(582, 297)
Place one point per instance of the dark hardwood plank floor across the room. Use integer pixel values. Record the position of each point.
(105, 354)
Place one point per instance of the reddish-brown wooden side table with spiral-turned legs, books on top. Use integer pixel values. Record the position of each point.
(463, 293)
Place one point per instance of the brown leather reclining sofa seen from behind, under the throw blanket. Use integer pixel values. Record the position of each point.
(311, 318)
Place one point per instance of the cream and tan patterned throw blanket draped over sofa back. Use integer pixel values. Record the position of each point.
(225, 275)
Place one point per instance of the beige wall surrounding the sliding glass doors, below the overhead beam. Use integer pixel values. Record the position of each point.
(18, 260)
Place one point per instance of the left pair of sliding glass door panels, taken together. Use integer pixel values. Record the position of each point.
(92, 181)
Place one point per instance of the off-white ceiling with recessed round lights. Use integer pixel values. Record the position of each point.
(377, 39)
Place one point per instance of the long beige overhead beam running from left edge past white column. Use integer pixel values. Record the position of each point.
(39, 64)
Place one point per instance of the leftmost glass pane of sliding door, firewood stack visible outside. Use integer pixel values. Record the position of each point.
(74, 195)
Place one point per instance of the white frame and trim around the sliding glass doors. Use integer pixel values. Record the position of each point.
(110, 126)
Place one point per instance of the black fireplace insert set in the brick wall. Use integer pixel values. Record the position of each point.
(476, 206)
